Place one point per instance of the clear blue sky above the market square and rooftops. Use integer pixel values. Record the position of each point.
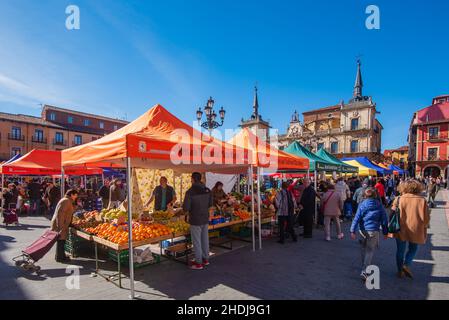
(130, 55)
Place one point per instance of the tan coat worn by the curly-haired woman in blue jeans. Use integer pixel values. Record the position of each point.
(414, 218)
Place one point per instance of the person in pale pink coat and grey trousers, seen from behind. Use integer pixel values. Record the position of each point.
(332, 207)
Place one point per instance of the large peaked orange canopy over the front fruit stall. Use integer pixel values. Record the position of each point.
(159, 140)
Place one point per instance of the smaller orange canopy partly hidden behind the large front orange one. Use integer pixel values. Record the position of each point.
(267, 156)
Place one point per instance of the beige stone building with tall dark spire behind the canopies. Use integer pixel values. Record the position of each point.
(346, 129)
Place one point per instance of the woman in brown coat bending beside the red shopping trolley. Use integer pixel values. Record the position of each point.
(61, 221)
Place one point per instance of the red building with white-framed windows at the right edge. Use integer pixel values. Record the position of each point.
(429, 139)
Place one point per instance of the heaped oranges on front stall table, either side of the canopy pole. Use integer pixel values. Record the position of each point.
(119, 234)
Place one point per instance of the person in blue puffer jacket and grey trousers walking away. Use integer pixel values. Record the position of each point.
(369, 219)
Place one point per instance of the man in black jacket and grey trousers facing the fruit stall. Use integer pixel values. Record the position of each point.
(197, 201)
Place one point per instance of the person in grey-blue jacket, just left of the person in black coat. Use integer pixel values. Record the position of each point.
(285, 208)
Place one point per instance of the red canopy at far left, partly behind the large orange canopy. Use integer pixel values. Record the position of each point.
(43, 163)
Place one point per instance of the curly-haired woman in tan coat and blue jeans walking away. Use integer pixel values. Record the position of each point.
(414, 220)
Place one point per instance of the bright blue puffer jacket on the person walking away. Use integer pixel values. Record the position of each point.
(370, 216)
